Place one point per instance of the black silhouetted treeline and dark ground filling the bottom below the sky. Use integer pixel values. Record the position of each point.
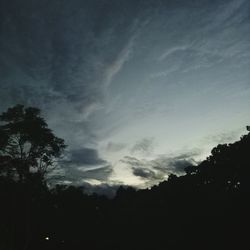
(208, 208)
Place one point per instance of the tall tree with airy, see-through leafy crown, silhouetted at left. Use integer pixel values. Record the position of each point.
(26, 143)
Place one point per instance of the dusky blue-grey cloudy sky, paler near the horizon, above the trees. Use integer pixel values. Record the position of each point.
(138, 89)
